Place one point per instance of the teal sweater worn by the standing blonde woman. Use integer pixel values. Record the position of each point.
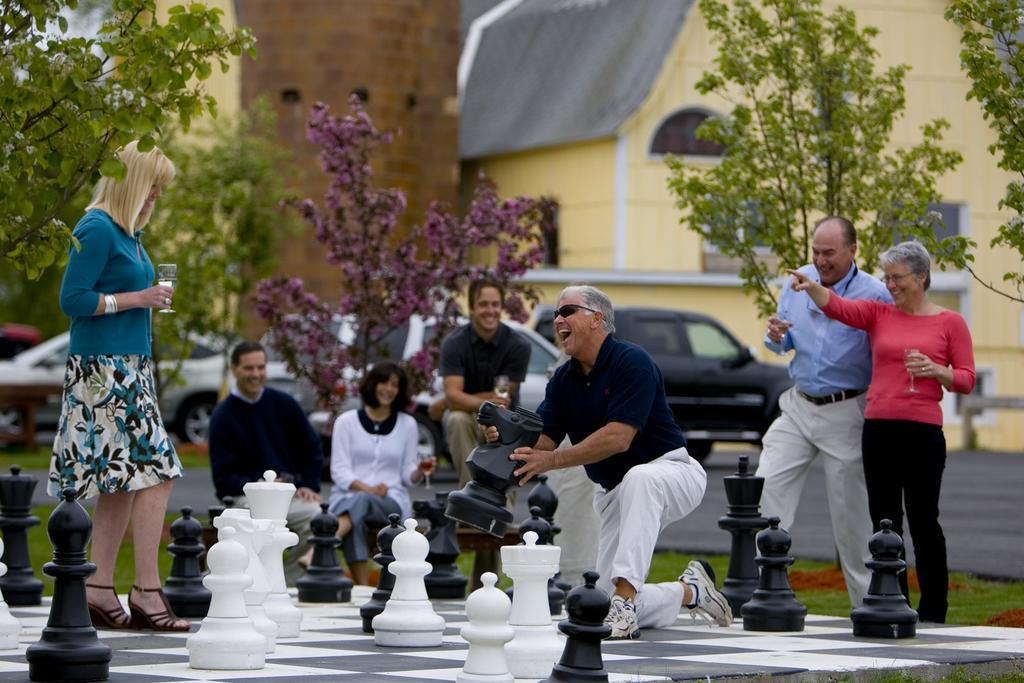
(109, 263)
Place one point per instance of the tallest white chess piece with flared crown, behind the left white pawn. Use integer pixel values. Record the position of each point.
(270, 500)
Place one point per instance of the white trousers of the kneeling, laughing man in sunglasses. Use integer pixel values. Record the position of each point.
(632, 516)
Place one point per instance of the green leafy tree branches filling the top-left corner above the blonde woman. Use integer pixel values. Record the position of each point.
(67, 103)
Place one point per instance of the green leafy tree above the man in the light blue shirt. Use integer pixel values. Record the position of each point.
(808, 136)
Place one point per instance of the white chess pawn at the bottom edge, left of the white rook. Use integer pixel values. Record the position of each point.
(488, 632)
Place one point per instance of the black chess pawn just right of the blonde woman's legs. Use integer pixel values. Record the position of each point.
(184, 588)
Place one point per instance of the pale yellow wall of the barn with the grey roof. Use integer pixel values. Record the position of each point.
(582, 177)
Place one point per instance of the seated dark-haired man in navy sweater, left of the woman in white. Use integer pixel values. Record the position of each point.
(259, 429)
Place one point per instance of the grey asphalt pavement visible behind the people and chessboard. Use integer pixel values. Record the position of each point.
(982, 511)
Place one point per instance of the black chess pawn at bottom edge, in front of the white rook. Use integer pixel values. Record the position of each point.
(587, 607)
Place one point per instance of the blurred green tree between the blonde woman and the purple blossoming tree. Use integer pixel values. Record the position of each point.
(222, 223)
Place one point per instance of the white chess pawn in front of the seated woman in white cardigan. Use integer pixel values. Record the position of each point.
(409, 620)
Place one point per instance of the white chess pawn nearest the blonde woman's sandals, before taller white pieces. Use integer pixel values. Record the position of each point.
(227, 639)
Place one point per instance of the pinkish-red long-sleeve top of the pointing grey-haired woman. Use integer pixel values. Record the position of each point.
(945, 338)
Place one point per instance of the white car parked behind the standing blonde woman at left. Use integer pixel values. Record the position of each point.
(186, 407)
